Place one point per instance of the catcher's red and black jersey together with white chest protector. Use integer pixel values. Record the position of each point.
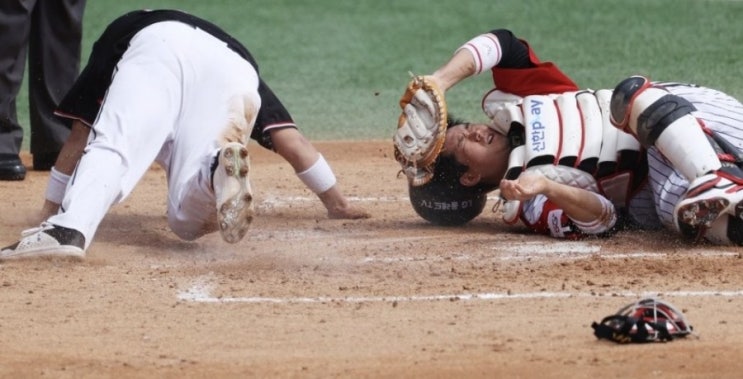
(561, 131)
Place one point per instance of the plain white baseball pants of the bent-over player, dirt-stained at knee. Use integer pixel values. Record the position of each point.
(173, 96)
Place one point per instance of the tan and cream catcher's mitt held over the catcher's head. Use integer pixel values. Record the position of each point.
(421, 129)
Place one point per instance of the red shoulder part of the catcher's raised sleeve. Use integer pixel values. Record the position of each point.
(543, 78)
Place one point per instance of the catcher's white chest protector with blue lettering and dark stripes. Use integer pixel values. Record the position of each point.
(569, 138)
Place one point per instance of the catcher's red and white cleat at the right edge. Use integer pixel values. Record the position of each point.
(707, 198)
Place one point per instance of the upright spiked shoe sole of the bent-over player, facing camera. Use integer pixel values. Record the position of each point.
(232, 190)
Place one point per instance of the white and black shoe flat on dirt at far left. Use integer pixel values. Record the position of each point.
(47, 240)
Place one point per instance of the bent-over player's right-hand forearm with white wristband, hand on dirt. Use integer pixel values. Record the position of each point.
(314, 171)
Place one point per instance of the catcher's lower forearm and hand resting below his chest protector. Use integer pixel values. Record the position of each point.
(591, 212)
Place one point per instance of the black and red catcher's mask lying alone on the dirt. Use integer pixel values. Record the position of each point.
(647, 320)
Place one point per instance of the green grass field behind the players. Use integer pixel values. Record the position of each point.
(340, 66)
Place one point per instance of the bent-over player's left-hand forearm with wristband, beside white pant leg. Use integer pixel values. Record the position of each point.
(69, 155)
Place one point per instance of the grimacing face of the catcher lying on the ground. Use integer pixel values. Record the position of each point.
(483, 150)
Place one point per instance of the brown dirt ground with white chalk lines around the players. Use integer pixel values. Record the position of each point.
(391, 296)
